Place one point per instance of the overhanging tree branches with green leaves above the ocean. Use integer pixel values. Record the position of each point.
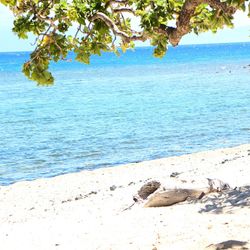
(97, 24)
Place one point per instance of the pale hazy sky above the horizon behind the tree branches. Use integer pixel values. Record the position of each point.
(241, 33)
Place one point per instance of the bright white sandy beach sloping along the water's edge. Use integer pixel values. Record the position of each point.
(85, 210)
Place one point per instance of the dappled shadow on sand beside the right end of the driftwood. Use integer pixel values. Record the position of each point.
(239, 197)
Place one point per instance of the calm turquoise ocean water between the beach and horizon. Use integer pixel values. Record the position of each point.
(121, 110)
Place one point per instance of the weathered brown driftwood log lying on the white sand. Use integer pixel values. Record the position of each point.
(152, 194)
